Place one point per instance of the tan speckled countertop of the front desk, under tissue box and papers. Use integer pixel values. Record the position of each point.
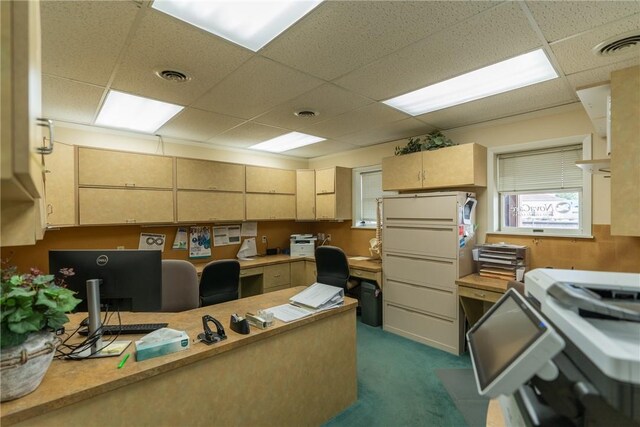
(68, 382)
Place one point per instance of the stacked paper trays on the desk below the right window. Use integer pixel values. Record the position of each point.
(501, 261)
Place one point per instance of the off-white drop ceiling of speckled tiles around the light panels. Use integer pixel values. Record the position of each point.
(341, 60)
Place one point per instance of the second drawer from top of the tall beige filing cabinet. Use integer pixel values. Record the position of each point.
(433, 241)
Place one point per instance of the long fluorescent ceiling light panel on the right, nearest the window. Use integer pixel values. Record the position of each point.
(524, 70)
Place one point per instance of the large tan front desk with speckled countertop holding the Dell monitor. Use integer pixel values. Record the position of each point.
(293, 374)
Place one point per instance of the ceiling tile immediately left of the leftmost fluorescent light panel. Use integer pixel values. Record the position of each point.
(70, 101)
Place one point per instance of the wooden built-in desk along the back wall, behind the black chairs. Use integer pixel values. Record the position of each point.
(275, 272)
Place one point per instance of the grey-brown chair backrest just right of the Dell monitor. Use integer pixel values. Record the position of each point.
(179, 286)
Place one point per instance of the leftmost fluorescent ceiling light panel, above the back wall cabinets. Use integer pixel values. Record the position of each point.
(122, 110)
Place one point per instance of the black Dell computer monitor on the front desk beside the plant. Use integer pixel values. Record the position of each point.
(131, 279)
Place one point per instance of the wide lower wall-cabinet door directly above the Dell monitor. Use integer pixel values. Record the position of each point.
(124, 206)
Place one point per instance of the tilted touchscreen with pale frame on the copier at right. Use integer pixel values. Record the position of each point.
(510, 344)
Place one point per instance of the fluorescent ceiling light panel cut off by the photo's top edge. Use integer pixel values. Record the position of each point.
(251, 24)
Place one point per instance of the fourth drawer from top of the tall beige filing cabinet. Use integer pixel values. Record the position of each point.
(431, 300)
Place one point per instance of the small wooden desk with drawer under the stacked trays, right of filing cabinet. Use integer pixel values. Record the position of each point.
(478, 293)
